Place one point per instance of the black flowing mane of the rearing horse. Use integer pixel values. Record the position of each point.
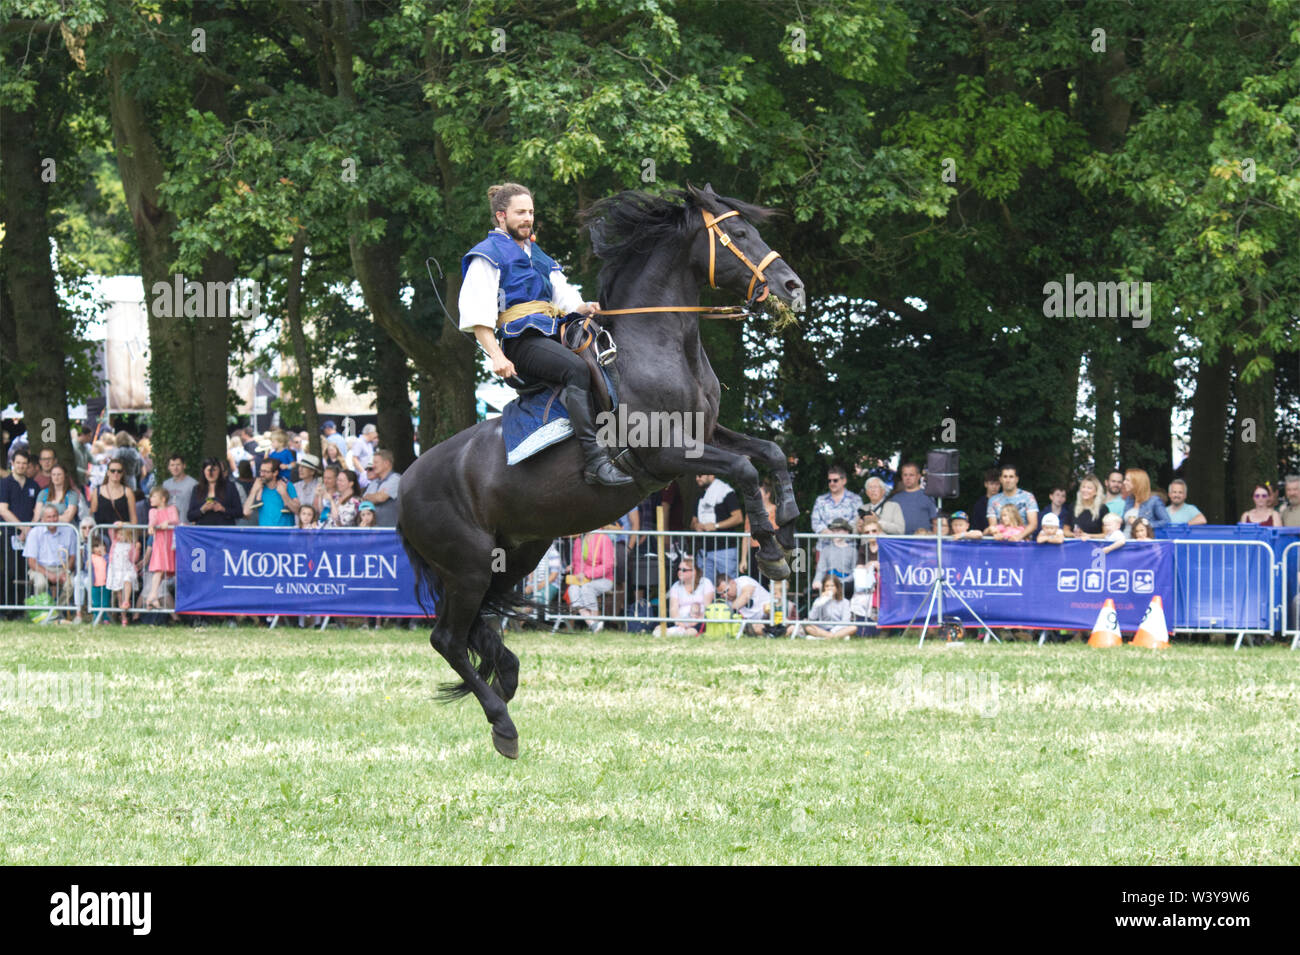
(626, 228)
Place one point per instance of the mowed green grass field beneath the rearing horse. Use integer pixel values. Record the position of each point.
(248, 746)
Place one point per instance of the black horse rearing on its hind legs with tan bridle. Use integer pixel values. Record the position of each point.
(475, 527)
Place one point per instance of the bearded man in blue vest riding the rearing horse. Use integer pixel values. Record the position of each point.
(515, 293)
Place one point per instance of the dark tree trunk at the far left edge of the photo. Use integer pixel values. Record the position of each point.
(34, 323)
